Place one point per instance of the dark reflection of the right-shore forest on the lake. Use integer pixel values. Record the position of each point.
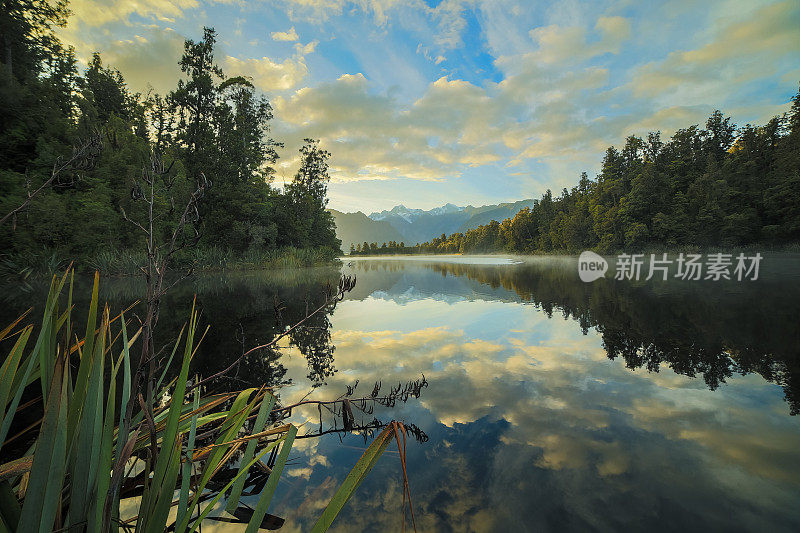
(708, 329)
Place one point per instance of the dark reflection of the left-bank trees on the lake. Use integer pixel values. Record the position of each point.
(250, 309)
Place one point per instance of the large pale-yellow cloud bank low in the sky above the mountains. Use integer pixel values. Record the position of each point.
(537, 111)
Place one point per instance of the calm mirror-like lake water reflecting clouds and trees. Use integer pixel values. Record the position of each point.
(551, 404)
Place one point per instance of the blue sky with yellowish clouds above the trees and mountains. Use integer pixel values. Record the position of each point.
(424, 102)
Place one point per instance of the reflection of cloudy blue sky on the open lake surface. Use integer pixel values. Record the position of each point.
(533, 427)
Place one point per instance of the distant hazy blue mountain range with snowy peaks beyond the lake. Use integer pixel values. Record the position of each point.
(411, 226)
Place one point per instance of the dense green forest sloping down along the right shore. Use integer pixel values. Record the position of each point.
(718, 186)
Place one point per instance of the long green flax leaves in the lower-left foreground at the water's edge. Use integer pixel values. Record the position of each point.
(87, 455)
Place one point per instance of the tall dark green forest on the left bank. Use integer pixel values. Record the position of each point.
(75, 148)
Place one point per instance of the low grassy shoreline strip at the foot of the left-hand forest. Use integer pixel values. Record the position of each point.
(47, 262)
